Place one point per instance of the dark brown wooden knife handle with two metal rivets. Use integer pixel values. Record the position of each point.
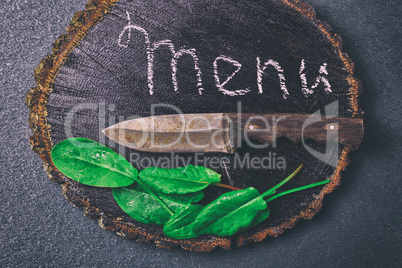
(266, 128)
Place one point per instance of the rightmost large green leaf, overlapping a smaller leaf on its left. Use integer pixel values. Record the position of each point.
(229, 213)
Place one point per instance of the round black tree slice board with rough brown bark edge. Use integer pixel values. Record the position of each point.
(120, 58)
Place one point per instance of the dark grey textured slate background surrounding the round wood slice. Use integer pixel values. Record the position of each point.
(359, 225)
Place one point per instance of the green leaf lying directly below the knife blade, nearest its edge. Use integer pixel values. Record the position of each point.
(183, 180)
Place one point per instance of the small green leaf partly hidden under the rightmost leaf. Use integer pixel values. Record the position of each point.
(180, 226)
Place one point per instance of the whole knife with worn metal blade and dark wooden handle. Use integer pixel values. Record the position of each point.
(225, 132)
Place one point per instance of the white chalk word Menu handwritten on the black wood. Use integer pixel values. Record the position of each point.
(126, 34)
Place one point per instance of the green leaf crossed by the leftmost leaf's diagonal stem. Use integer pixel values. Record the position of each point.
(143, 207)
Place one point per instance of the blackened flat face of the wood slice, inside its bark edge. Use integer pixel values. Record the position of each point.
(107, 74)
